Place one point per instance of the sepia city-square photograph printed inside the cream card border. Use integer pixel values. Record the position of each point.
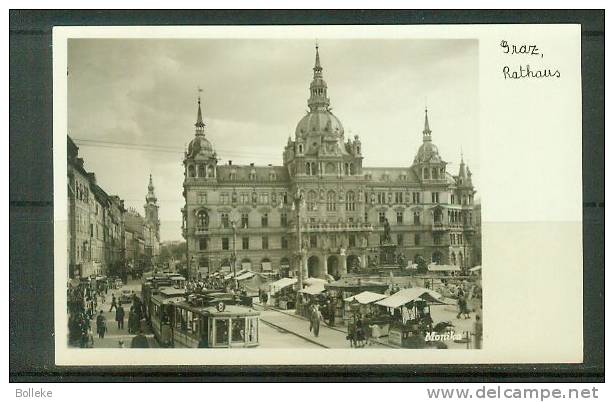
(271, 193)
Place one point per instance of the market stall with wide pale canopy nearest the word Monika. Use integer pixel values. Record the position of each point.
(411, 315)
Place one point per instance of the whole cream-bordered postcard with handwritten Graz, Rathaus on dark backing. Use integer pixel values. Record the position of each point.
(318, 195)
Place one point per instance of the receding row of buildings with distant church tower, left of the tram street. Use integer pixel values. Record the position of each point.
(105, 237)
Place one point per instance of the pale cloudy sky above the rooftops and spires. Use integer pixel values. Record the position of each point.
(143, 93)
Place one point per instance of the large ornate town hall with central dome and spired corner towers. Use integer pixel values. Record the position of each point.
(344, 204)
